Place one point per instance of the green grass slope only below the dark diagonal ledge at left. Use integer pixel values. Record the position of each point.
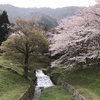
(11, 85)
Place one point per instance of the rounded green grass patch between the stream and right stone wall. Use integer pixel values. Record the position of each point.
(55, 93)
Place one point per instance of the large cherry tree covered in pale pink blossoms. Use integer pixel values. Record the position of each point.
(79, 38)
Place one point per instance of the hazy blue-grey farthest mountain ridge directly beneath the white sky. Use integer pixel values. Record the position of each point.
(58, 13)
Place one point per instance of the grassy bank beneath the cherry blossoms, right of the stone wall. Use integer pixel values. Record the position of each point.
(86, 81)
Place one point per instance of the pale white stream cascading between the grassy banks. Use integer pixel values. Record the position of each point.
(43, 81)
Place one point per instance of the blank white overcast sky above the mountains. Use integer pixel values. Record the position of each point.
(48, 3)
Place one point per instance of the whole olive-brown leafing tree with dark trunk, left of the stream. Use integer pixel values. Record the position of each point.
(28, 44)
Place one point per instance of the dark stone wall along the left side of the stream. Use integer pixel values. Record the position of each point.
(28, 94)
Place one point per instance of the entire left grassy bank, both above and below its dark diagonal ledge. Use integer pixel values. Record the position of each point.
(12, 82)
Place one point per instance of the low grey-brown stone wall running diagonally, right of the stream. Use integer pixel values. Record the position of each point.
(72, 90)
